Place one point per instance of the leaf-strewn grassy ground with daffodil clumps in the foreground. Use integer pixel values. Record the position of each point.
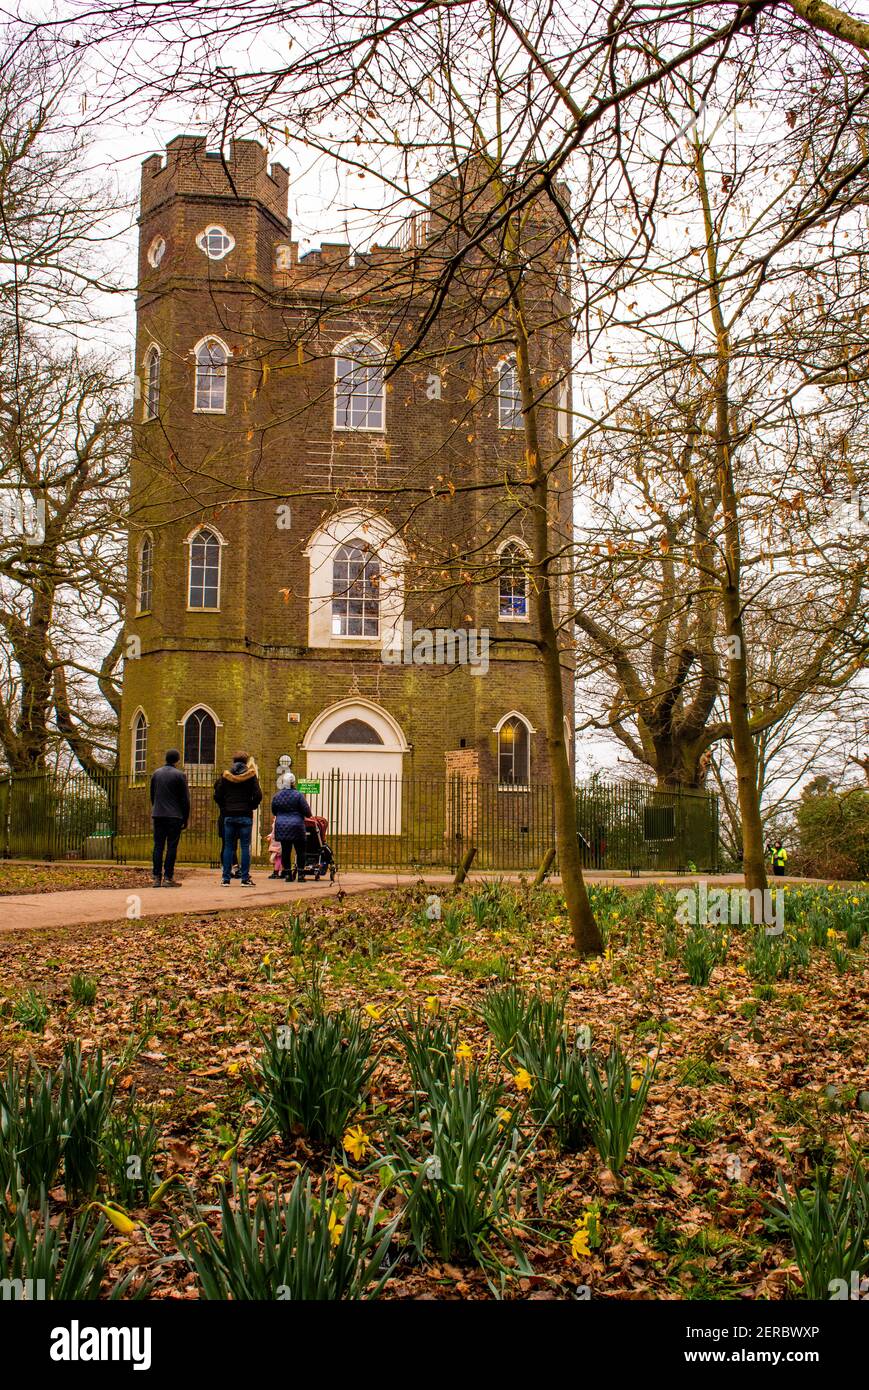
(743, 1070)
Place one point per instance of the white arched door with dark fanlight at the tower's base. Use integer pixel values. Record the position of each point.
(355, 750)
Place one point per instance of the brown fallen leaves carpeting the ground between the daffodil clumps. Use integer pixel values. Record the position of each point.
(738, 1079)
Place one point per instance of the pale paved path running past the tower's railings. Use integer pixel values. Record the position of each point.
(202, 893)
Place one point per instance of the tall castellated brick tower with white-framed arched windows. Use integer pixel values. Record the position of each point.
(295, 519)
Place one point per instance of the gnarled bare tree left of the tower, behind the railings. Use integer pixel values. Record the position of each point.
(63, 443)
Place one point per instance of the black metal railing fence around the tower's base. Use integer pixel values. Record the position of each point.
(376, 822)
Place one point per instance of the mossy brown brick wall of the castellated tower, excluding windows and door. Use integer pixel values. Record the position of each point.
(250, 662)
